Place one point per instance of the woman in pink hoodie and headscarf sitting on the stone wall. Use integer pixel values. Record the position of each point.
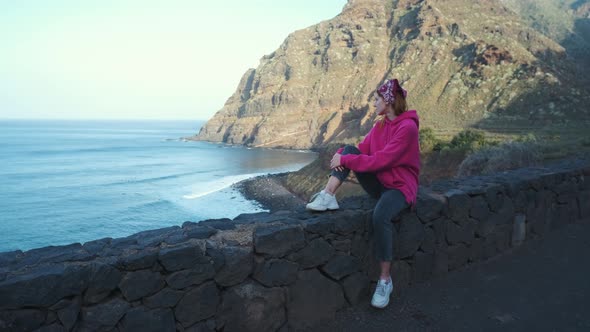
(387, 165)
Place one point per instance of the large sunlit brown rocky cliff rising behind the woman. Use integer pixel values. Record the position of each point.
(464, 63)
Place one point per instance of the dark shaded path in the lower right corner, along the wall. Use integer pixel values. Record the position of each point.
(541, 286)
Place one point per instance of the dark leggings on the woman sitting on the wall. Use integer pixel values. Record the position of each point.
(391, 203)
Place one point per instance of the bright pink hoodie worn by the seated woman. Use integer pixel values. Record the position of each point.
(392, 151)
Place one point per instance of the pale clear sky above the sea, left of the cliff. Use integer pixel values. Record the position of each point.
(138, 59)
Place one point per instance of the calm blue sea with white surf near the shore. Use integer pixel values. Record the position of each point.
(74, 181)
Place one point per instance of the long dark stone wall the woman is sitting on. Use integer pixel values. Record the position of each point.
(282, 271)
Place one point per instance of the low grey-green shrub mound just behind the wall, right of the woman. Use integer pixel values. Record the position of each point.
(493, 159)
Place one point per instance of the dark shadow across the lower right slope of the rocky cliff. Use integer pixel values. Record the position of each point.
(554, 106)
